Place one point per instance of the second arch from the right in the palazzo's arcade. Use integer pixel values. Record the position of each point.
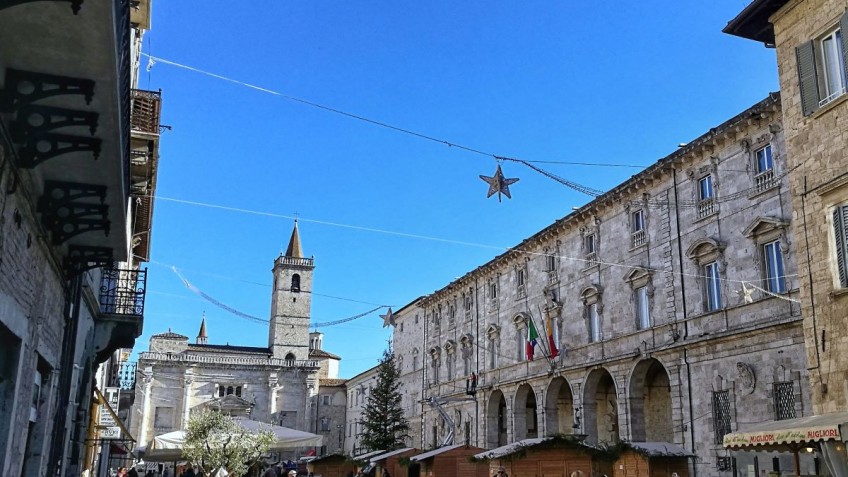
(600, 407)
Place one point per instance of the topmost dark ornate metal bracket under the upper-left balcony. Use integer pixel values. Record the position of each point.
(25, 87)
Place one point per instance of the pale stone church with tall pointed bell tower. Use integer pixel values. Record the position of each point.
(278, 384)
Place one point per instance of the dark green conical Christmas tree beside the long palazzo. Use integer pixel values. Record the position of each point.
(385, 427)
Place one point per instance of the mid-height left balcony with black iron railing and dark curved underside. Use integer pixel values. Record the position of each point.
(120, 320)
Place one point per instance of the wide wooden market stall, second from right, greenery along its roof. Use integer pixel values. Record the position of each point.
(544, 456)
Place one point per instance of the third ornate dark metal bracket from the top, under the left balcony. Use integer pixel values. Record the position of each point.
(65, 216)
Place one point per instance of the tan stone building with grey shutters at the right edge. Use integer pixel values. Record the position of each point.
(810, 37)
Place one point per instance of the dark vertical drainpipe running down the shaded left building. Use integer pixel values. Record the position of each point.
(66, 366)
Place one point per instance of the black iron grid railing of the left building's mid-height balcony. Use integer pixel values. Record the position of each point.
(122, 291)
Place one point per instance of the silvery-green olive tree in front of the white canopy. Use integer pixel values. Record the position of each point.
(215, 440)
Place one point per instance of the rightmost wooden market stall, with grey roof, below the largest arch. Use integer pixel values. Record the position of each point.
(652, 459)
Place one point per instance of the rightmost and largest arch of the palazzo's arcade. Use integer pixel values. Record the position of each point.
(650, 403)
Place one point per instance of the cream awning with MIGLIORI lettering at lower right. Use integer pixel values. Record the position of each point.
(790, 432)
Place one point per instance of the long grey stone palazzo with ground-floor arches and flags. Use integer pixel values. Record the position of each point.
(671, 301)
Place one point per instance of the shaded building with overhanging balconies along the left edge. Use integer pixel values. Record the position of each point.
(75, 219)
